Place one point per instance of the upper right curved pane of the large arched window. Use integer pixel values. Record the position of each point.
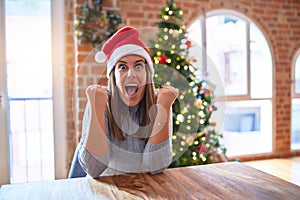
(261, 65)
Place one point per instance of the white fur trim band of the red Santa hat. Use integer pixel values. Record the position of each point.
(125, 50)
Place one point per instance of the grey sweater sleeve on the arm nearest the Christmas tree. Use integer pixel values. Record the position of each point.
(157, 157)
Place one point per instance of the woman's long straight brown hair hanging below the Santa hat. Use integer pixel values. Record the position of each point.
(114, 106)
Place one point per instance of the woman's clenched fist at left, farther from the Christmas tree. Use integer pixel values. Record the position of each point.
(98, 97)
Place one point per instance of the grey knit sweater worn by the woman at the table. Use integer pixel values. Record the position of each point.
(130, 156)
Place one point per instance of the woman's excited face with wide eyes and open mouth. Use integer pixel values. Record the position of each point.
(131, 77)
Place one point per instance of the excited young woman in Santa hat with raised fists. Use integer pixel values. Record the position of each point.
(127, 126)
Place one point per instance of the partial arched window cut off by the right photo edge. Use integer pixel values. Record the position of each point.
(296, 105)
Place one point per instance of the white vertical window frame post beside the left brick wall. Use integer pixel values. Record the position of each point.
(59, 108)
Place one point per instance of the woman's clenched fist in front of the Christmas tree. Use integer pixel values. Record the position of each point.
(166, 96)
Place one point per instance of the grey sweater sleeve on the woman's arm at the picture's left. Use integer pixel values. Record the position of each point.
(92, 165)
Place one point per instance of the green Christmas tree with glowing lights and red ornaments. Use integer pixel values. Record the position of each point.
(195, 141)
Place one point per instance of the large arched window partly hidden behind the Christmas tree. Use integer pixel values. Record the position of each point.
(242, 56)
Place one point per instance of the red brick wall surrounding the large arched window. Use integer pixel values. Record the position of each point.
(279, 20)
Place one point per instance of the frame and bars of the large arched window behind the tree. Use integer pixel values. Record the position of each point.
(242, 98)
